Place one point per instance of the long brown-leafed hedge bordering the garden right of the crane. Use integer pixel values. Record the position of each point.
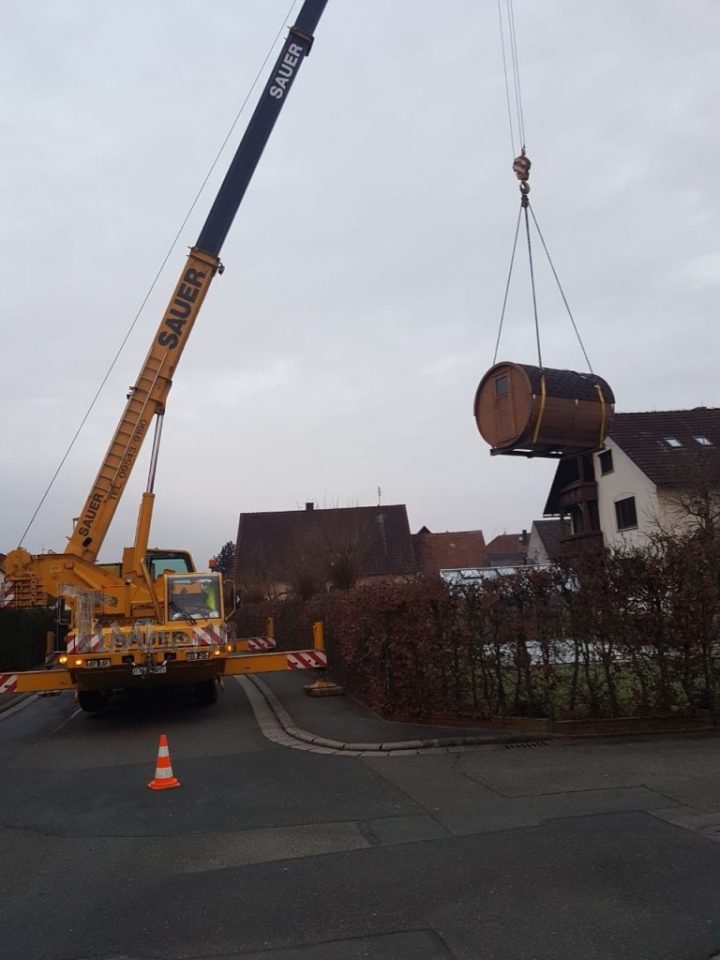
(631, 634)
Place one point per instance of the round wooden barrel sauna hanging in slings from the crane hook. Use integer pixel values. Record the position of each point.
(534, 412)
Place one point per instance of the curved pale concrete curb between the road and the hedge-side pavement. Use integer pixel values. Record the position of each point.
(404, 747)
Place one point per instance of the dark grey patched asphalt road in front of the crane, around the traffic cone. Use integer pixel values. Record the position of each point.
(579, 851)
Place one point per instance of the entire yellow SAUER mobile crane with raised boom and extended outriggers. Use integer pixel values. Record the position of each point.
(153, 618)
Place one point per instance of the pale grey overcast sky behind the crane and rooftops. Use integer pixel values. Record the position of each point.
(341, 349)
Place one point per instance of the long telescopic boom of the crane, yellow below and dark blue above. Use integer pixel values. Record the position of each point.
(147, 397)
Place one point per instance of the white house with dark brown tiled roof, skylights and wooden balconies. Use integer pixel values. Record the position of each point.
(656, 473)
